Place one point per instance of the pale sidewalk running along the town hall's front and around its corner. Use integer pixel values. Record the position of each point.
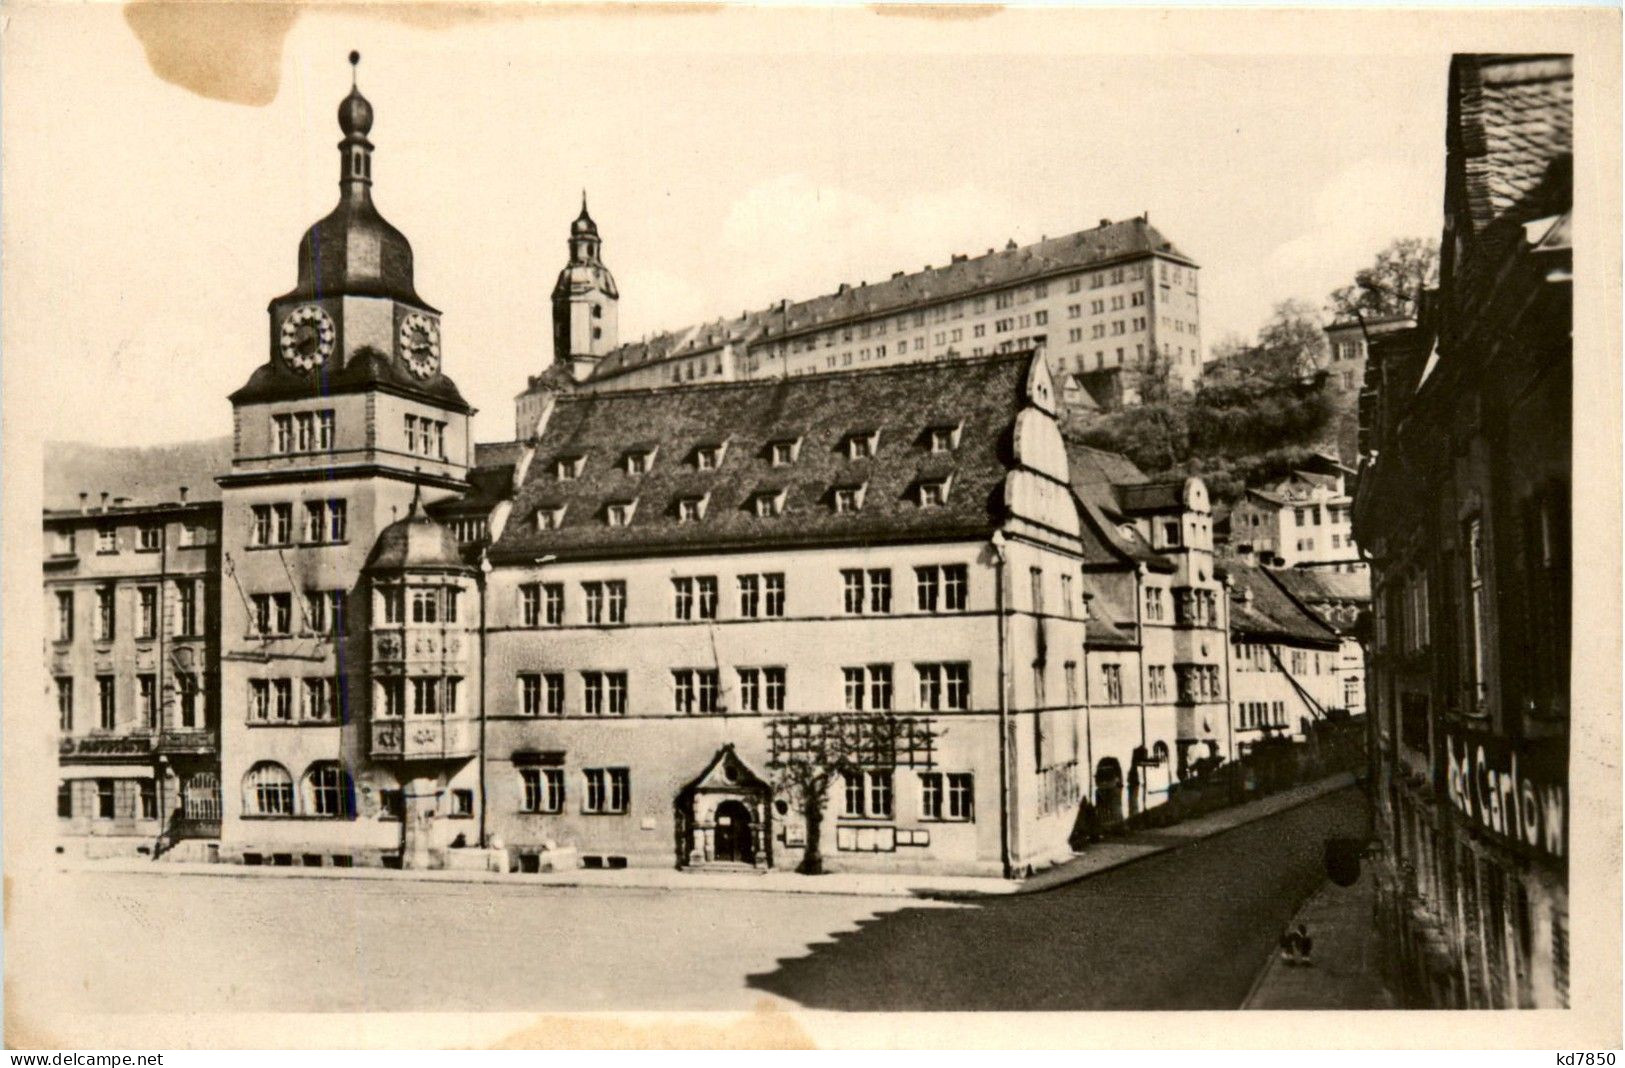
(1099, 857)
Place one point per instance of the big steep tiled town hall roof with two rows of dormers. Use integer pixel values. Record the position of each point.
(979, 396)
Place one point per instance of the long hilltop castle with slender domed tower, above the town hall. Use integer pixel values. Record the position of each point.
(1103, 303)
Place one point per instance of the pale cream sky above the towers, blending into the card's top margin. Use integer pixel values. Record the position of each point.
(730, 160)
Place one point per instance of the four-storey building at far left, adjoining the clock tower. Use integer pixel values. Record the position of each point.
(132, 601)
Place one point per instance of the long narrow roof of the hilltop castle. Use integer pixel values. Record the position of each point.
(964, 277)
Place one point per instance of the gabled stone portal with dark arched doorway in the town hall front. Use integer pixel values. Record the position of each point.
(724, 817)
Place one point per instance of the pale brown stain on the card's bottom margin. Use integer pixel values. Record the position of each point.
(768, 1028)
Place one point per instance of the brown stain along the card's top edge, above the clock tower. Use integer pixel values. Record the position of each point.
(235, 51)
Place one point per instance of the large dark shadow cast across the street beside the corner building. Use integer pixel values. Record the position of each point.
(1182, 931)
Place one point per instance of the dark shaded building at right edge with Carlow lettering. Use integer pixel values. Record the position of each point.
(1463, 508)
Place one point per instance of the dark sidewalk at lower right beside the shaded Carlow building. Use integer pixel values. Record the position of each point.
(1348, 970)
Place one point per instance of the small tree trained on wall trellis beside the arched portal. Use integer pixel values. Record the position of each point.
(810, 753)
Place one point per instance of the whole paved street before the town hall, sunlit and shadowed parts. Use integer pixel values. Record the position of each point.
(1181, 931)
